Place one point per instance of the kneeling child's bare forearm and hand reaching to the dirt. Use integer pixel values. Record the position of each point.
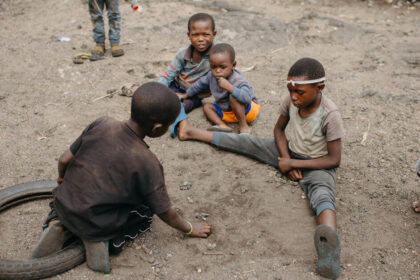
(172, 218)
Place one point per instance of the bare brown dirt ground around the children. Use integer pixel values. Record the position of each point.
(262, 225)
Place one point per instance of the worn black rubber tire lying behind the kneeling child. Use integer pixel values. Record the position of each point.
(69, 257)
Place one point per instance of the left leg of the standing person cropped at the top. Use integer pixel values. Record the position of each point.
(96, 8)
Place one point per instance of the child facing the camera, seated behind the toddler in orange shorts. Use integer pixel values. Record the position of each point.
(192, 62)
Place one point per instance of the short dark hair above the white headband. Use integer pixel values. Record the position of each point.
(307, 67)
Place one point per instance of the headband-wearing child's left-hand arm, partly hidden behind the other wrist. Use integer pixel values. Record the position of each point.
(281, 142)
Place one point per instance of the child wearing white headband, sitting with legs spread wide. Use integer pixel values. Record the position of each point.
(310, 154)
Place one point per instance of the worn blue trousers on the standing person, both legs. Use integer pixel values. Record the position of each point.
(114, 19)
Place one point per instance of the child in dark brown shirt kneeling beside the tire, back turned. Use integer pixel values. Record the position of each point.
(111, 184)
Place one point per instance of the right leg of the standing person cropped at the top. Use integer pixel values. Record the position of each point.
(114, 20)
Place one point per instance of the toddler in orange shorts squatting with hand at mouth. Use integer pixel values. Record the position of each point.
(235, 99)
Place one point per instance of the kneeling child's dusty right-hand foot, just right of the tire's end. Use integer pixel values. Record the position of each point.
(97, 256)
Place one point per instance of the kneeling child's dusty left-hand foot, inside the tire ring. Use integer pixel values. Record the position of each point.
(52, 240)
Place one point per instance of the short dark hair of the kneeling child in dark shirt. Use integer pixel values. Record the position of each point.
(154, 103)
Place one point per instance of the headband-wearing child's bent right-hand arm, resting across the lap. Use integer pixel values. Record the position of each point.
(331, 160)
